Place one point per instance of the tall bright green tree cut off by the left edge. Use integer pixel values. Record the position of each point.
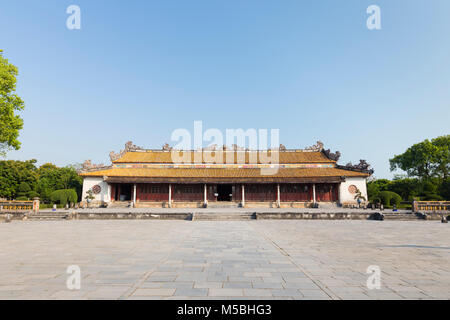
(10, 103)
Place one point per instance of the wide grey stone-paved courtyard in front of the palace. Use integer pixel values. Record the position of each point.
(274, 259)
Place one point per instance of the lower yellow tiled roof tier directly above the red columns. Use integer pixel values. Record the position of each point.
(223, 173)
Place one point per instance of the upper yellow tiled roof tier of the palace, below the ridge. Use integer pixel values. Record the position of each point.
(151, 156)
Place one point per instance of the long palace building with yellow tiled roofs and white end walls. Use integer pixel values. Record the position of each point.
(150, 178)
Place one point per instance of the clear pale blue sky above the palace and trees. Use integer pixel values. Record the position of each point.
(137, 70)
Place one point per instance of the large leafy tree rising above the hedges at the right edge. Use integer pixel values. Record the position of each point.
(426, 159)
